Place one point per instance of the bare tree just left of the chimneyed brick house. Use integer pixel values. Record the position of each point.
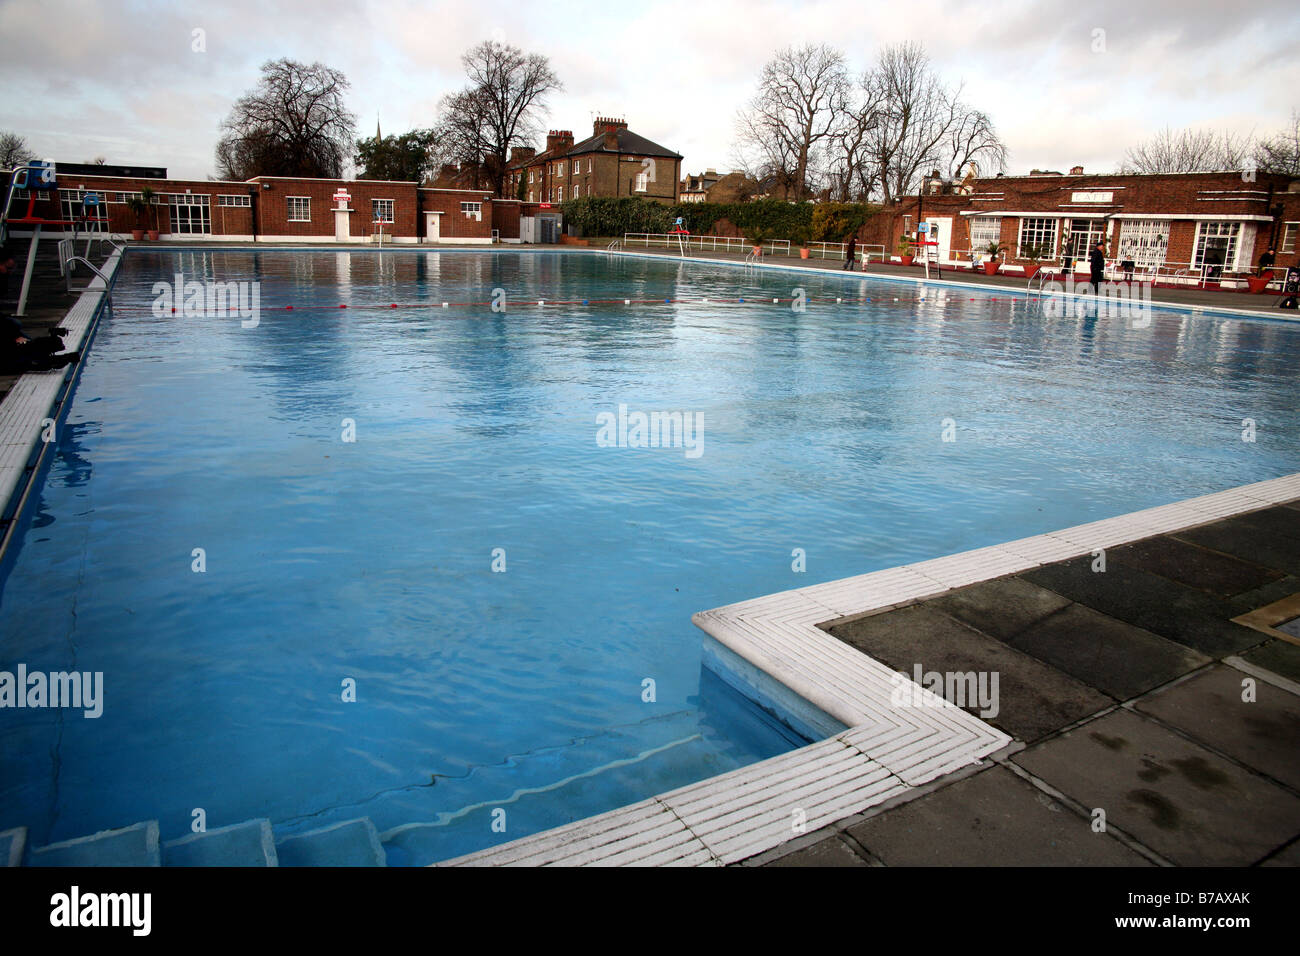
(501, 107)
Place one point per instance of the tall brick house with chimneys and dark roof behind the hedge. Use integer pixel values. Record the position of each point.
(613, 162)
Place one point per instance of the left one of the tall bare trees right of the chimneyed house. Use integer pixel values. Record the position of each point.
(798, 111)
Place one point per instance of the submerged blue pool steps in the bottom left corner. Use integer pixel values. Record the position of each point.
(352, 843)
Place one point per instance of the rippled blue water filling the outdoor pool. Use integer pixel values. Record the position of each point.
(476, 431)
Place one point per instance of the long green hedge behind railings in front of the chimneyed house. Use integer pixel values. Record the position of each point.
(778, 219)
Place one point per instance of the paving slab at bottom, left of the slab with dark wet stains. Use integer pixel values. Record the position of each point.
(994, 819)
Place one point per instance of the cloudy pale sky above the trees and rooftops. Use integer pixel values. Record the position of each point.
(1067, 84)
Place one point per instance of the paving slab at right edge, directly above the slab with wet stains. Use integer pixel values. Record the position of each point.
(1263, 734)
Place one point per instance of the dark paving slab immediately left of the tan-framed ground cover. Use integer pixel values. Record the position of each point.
(1152, 603)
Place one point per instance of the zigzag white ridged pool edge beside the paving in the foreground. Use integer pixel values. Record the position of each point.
(887, 751)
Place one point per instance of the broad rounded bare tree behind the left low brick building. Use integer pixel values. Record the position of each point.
(293, 124)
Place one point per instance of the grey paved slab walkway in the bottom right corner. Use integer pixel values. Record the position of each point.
(1137, 697)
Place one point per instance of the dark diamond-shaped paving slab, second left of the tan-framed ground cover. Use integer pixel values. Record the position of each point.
(1110, 655)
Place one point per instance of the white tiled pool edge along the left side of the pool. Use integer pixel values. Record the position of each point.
(32, 401)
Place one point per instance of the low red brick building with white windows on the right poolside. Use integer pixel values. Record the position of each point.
(1204, 223)
